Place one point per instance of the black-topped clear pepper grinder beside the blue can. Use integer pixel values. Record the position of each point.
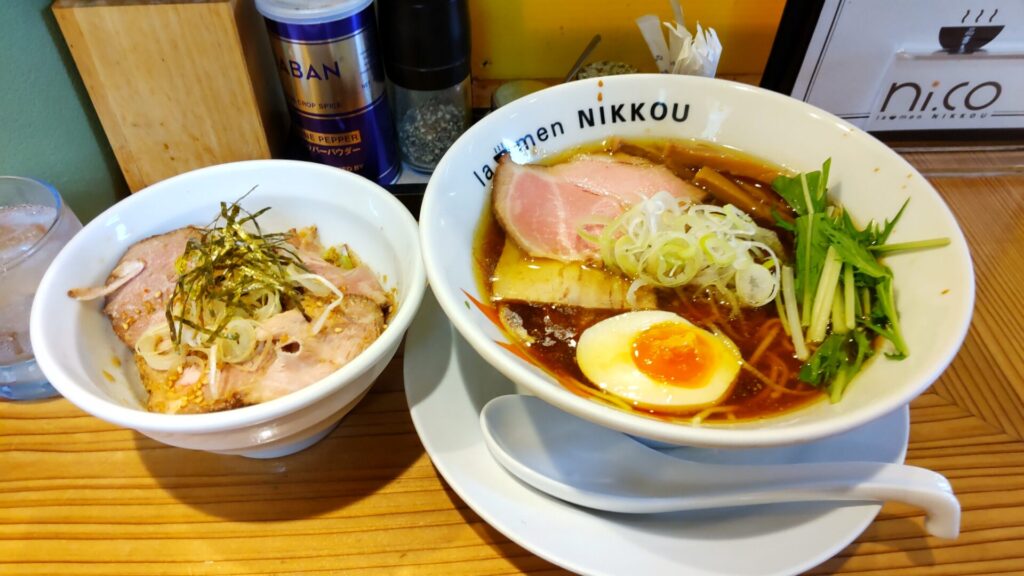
(425, 45)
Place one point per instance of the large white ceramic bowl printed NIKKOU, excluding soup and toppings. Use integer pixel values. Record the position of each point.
(935, 290)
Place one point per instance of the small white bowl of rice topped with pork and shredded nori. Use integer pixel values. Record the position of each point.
(309, 210)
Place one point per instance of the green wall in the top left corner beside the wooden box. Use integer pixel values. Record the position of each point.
(49, 129)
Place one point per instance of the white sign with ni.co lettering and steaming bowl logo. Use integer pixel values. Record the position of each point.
(917, 65)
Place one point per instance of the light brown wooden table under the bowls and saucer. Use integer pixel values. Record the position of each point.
(81, 497)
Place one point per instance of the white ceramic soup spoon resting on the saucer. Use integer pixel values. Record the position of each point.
(601, 469)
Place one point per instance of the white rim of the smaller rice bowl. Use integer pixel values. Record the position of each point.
(249, 416)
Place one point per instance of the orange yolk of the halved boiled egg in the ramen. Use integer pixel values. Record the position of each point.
(675, 354)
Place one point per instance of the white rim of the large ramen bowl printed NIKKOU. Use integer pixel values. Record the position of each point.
(708, 436)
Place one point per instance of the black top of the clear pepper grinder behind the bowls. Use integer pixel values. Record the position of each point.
(425, 44)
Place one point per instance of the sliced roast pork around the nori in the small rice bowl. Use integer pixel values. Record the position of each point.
(340, 311)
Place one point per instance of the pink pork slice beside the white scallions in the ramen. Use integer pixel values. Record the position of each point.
(541, 209)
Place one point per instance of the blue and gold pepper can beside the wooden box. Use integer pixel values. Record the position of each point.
(327, 57)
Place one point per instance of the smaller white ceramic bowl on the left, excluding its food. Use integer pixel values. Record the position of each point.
(75, 345)
